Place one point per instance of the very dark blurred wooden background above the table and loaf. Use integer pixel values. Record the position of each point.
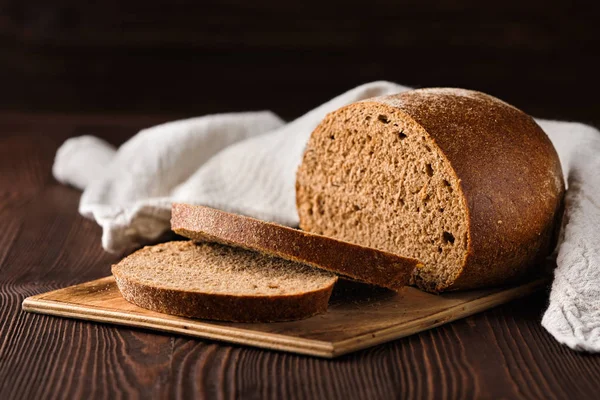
(184, 58)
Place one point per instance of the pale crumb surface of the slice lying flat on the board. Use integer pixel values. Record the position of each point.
(219, 269)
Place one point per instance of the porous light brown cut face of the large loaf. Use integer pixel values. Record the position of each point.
(384, 183)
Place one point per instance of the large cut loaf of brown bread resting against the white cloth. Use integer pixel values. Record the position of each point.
(464, 182)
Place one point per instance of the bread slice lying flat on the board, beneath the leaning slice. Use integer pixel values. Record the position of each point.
(212, 281)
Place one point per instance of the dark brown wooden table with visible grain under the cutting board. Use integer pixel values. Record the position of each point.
(45, 244)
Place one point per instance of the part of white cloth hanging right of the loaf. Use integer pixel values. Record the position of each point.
(573, 315)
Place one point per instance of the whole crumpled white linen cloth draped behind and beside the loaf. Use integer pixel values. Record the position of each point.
(246, 163)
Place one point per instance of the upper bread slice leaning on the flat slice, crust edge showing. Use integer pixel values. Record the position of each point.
(357, 262)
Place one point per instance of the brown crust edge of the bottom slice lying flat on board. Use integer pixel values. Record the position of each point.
(223, 307)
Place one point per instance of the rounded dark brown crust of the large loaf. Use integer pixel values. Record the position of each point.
(509, 173)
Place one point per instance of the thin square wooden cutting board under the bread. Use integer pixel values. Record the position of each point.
(359, 316)
